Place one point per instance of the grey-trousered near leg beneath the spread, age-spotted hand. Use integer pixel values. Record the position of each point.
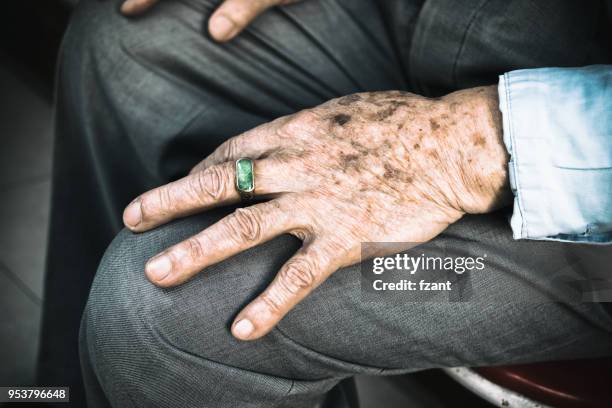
(153, 347)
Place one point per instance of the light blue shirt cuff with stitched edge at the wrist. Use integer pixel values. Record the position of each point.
(557, 125)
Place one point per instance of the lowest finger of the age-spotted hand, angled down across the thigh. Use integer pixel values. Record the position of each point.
(296, 279)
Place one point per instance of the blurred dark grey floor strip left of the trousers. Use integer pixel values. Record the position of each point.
(25, 170)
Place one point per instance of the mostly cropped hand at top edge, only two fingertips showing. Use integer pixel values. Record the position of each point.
(226, 22)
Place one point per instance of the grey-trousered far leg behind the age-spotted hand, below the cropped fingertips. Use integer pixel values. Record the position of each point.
(140, 101)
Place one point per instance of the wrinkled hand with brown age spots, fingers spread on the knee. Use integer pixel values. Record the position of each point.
(369, 167)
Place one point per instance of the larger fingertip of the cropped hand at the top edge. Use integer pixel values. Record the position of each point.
(234, 15)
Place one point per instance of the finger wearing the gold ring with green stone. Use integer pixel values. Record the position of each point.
(199, 191)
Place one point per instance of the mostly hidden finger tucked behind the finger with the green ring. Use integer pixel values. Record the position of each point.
(254, 143)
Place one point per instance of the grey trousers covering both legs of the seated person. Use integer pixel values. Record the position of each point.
(141, 101)
